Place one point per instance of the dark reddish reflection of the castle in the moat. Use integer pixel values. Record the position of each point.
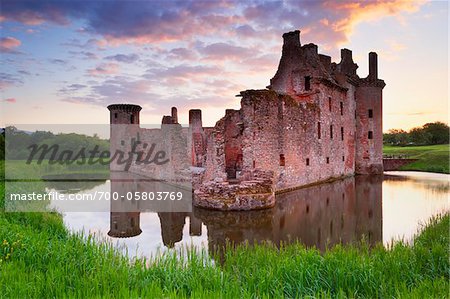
(339, 212)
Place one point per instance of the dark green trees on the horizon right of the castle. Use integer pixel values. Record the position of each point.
(428, 134)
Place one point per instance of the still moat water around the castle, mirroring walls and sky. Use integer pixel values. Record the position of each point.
(379, 209)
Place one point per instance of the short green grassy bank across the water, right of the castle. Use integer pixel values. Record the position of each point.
(432, 158)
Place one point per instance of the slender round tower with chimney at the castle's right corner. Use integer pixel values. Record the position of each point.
(369, 125)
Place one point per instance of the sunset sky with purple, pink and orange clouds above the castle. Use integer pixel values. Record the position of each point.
(63, 62)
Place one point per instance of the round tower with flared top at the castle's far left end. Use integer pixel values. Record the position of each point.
(124, 129)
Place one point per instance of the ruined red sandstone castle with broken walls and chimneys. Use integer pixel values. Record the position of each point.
(316, 121)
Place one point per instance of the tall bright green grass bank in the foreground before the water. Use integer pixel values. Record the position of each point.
(40, 259)
